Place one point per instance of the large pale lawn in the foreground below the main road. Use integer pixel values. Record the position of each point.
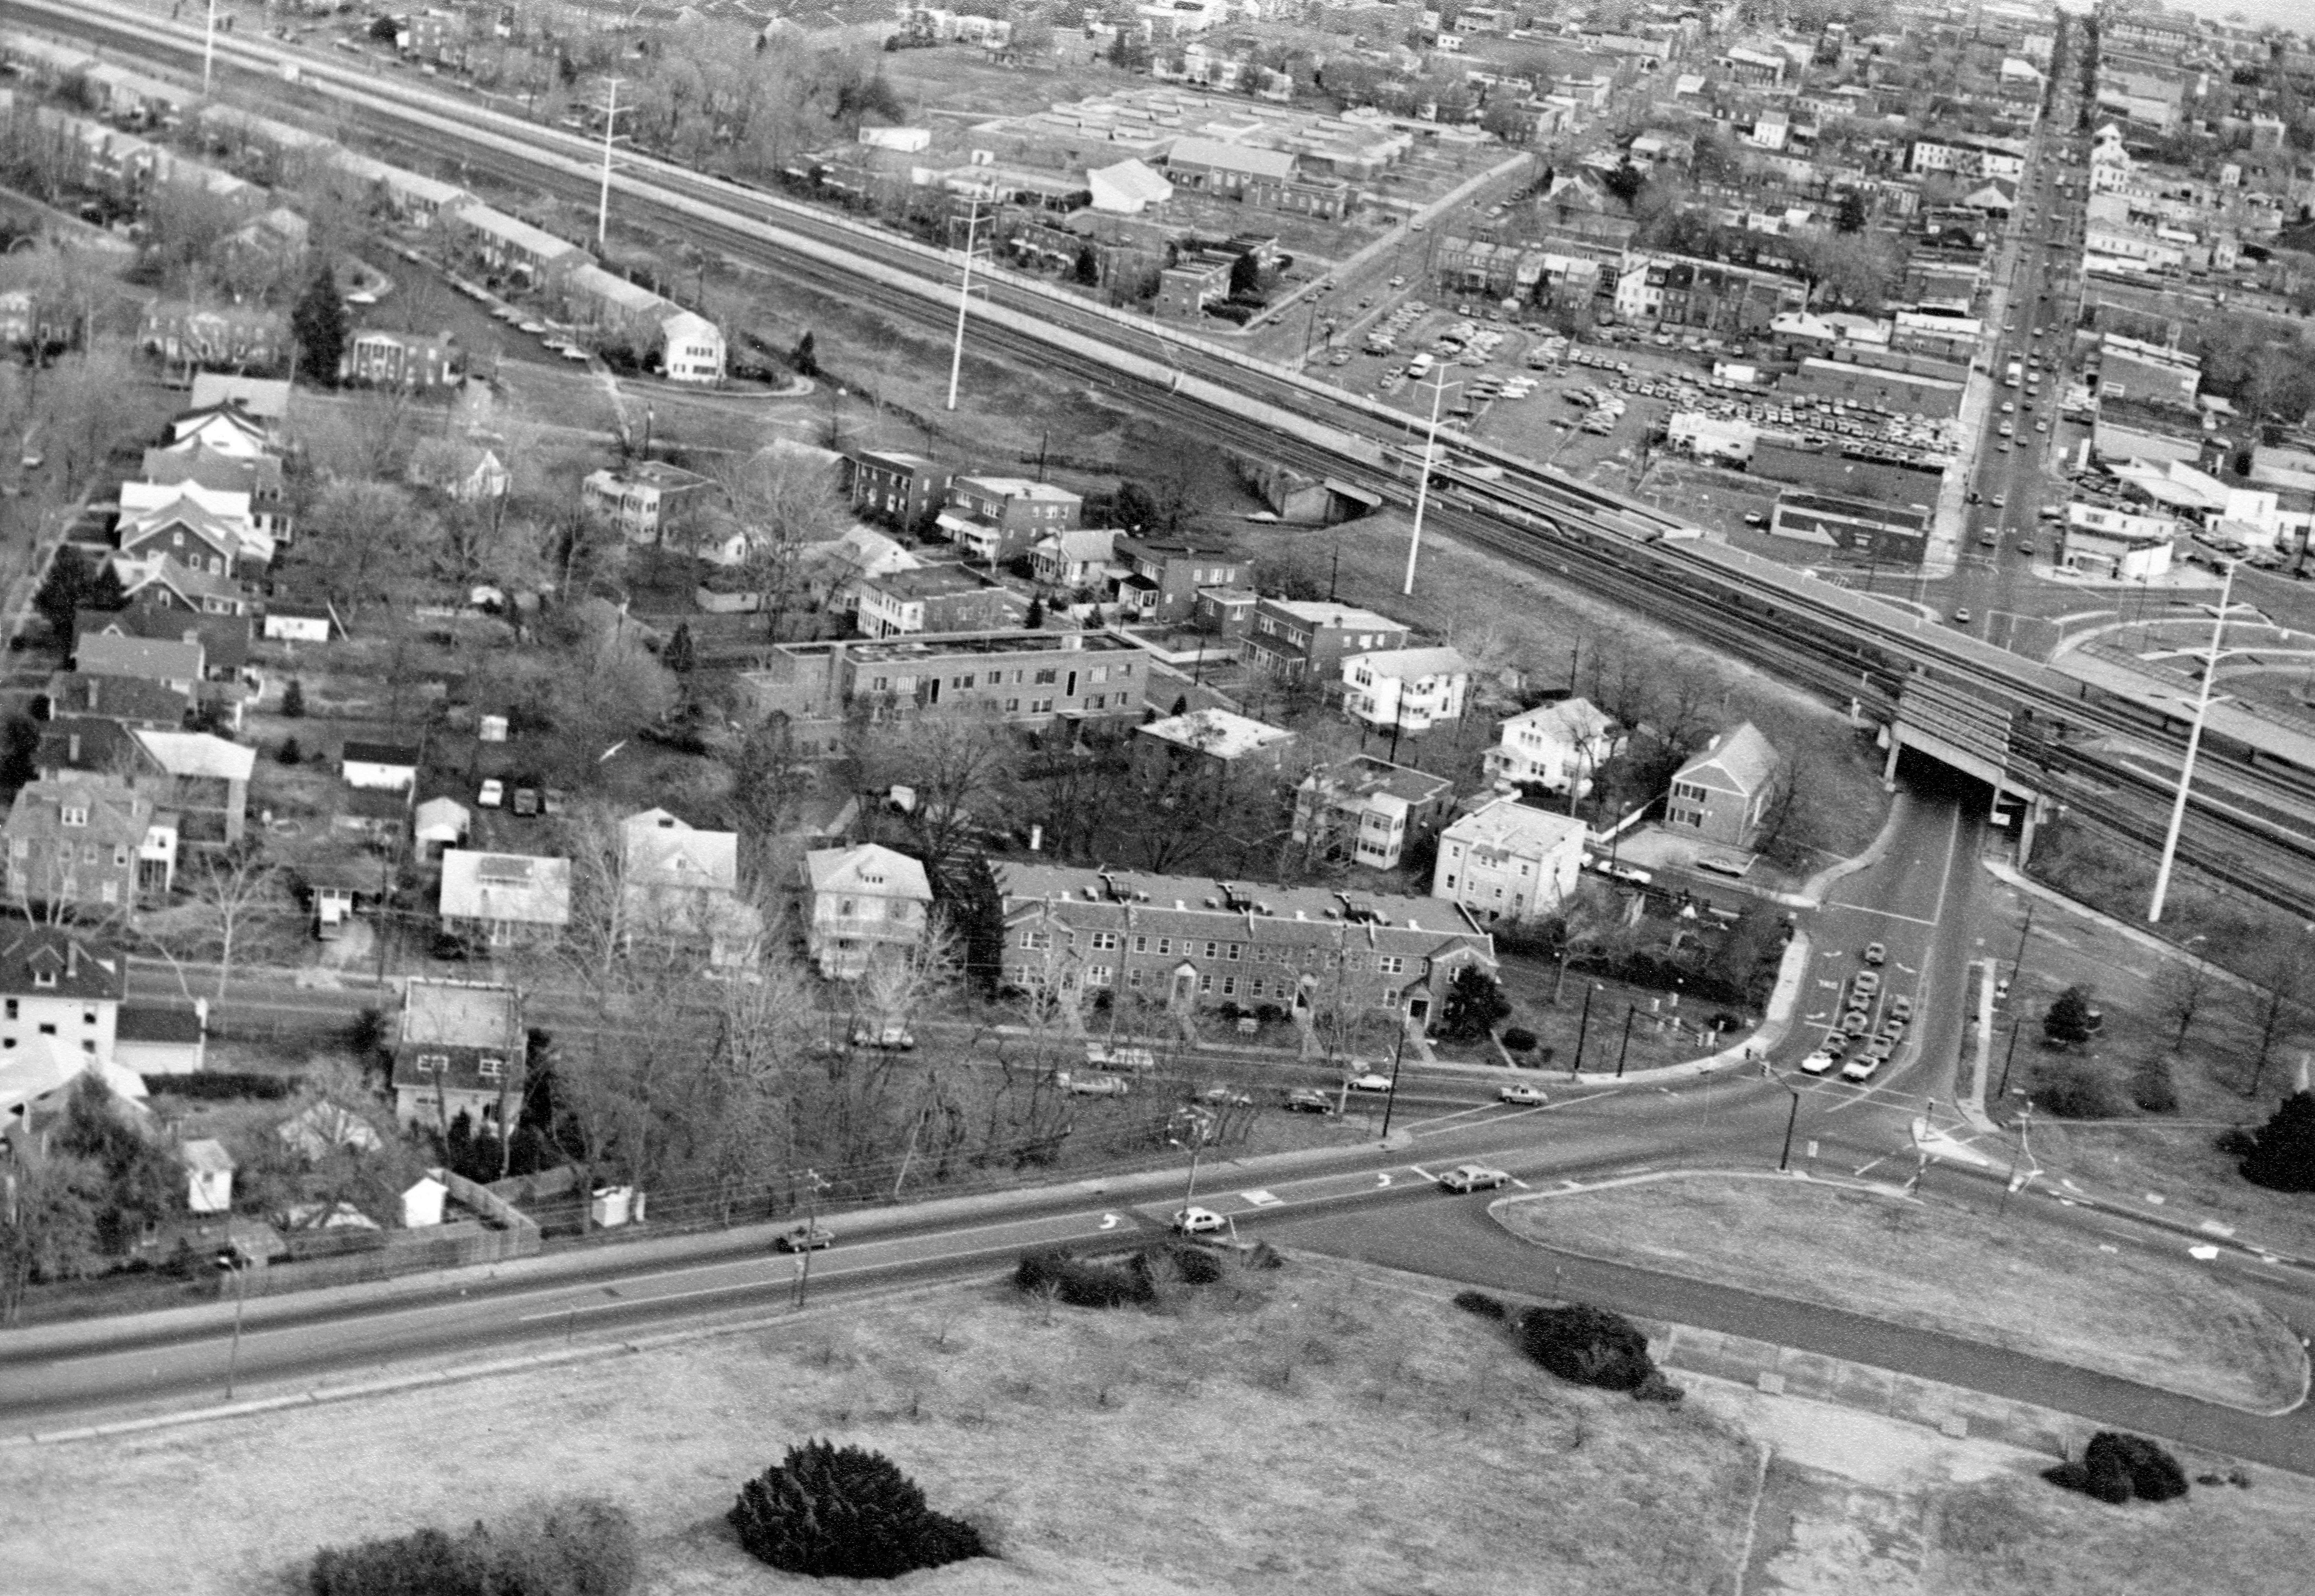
(1300, 1431)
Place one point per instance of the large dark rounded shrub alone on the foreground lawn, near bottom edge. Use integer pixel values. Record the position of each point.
(846, 1512)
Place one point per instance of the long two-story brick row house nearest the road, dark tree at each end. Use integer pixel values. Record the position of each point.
(1196, 945)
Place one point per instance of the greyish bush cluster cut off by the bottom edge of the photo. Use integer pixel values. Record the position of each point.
(578, 1546)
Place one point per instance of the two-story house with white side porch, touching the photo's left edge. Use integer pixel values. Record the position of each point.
(89, 845)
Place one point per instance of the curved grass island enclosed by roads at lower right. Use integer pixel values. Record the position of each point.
(1943, 1269)
